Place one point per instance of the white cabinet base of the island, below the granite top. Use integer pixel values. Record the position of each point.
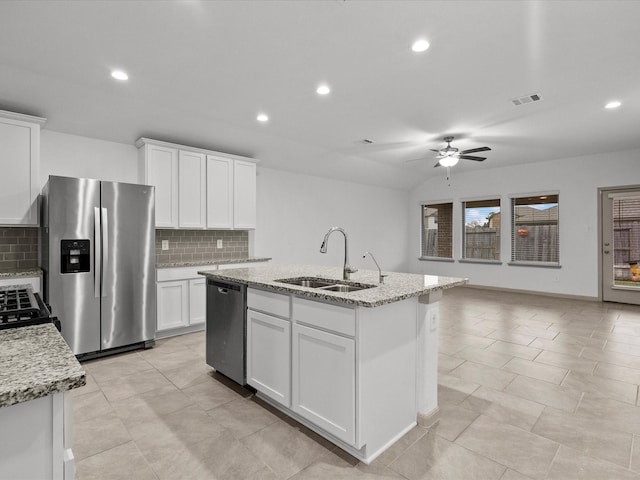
(351, 370)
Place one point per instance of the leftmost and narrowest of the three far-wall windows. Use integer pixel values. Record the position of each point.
(437, 230)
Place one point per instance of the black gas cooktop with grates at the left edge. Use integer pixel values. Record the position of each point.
(21, 307)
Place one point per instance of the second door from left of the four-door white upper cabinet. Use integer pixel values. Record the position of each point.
(192, 186)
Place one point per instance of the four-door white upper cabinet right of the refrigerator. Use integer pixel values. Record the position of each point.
(198, 188)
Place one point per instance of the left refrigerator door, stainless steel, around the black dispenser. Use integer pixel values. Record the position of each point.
(71, 204)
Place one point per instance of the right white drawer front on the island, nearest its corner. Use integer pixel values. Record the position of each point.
(329, 317)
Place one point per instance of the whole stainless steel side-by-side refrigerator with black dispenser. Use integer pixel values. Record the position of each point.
(98, 260)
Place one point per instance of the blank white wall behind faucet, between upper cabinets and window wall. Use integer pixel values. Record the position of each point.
(295, 211)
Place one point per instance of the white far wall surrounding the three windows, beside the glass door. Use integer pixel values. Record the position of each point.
(577, 180)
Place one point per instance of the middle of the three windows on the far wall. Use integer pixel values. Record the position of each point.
(481, 233)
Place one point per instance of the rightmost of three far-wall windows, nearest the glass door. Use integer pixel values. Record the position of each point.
(534, 229)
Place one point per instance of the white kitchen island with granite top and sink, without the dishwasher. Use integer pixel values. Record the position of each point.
(359, 367)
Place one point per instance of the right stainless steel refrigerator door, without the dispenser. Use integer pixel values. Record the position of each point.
(128, 264)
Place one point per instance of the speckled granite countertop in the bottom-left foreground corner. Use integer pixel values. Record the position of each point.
(35, 362)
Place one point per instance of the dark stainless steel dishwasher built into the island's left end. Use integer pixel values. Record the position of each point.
(226, 329)
